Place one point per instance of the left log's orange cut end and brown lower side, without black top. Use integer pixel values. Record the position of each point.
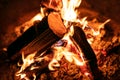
(48, 37)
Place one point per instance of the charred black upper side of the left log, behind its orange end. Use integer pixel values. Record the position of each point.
(27, 37)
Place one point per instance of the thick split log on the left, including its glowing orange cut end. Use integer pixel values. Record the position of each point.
(40, 36)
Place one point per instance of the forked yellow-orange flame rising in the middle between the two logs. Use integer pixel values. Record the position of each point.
(60, 52)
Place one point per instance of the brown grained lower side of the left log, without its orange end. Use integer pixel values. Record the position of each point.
(41, 43)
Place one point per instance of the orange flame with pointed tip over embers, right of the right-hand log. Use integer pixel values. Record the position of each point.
(95, 33)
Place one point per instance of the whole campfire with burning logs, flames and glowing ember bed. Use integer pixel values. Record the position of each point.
(58, 43)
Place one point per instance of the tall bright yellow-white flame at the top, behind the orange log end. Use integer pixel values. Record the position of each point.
(68, 12)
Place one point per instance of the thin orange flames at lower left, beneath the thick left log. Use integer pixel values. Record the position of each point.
(27, 61)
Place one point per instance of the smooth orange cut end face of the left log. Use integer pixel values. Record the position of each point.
(55, 24)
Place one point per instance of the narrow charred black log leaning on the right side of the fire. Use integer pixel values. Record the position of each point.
(80, 39)
